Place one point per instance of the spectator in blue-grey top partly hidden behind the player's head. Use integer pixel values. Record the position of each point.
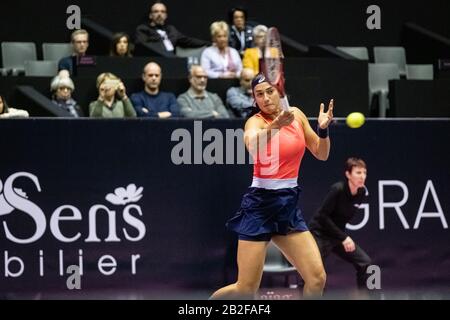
(240, 99)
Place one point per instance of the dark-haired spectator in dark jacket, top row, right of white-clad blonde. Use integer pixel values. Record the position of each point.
(241, 34)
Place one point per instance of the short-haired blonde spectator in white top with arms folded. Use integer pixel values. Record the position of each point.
(220, 60)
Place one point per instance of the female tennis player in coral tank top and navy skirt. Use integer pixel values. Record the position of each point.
(269, 210)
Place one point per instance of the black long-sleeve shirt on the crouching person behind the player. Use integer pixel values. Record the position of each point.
(337, 210)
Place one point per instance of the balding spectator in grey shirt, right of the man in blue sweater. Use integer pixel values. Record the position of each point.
(199, 103)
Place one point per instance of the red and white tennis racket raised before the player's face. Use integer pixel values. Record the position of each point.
(272, 64)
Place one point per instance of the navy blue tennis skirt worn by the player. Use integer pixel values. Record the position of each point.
(268, 212)
